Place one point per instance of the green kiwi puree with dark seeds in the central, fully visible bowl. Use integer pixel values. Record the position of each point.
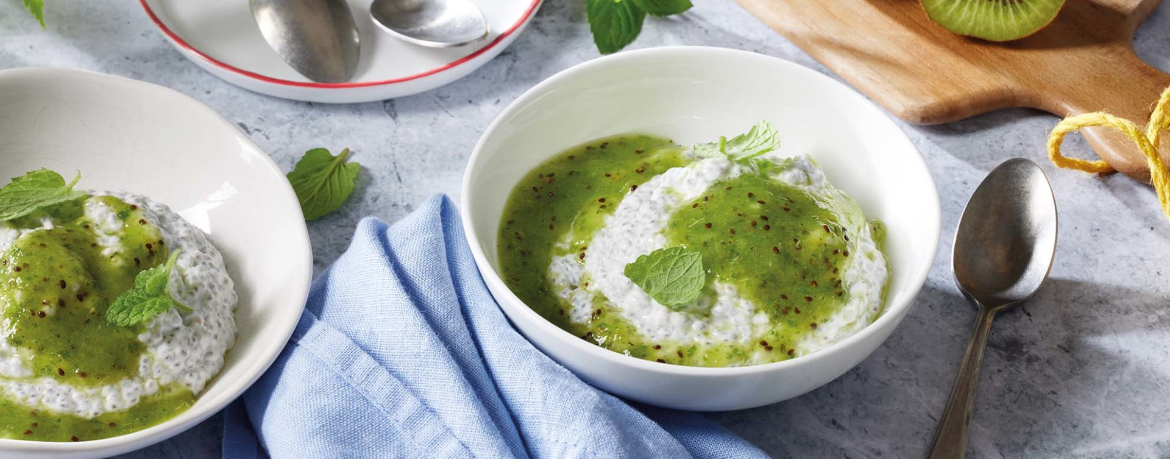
(782, 249)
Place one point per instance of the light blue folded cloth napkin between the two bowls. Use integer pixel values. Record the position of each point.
(403, 353)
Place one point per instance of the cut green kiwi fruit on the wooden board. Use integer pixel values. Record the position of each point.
(994, 20)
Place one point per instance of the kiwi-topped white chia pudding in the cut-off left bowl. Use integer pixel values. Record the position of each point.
(70, 375)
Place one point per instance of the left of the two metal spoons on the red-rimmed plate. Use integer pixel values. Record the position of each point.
(316, 38)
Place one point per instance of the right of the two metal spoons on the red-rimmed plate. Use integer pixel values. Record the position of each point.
(437, 24)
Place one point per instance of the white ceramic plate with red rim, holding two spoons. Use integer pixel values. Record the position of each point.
(222, 37)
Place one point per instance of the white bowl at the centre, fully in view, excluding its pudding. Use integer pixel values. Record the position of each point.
(696, 95)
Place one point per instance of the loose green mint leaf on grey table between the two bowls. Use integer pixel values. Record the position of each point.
(324, 182)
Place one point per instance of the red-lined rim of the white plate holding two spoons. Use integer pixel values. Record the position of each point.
(225, 66)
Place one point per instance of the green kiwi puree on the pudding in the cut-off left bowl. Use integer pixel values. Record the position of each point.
(56, 286)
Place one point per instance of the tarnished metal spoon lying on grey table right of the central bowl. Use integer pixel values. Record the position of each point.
(1003, 254)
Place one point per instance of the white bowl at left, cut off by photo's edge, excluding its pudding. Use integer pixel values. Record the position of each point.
(139, 138)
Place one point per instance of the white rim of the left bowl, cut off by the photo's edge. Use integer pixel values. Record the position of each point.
(170, 428)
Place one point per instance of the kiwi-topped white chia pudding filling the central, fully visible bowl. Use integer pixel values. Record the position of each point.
(792, 264)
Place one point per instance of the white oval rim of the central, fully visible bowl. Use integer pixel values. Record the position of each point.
(891, 313)
